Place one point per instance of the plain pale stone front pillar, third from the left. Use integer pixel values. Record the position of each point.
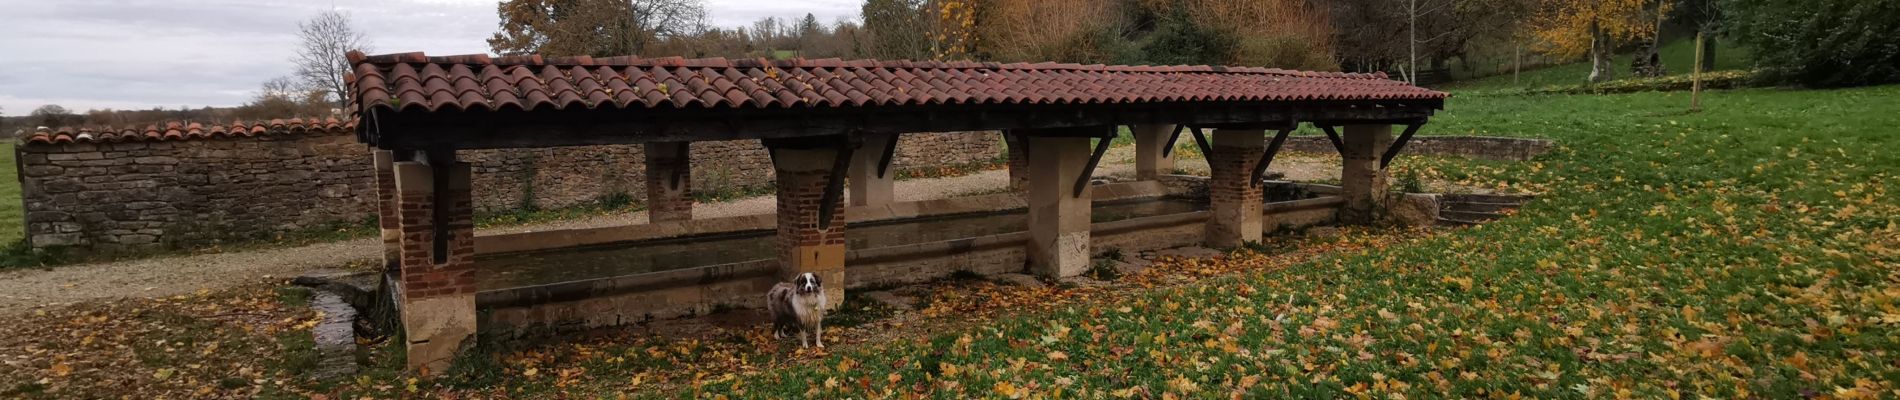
(1059, 219)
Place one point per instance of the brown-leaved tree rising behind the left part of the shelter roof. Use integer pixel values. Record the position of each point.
(592, 27)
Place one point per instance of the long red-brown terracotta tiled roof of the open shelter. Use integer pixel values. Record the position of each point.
(411, 82)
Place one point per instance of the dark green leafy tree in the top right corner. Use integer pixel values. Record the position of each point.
(1821, 43)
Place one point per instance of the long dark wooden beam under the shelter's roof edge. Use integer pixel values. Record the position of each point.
(455, 130)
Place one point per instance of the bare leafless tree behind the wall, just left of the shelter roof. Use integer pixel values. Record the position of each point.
(322, 62)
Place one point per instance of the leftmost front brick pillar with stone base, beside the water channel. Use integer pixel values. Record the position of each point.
(438, 270)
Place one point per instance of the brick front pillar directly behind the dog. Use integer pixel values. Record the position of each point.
(807, 247)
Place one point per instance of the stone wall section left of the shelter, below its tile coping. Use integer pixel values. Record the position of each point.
(130, 196)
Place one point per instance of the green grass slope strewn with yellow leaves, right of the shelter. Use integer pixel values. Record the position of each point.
(1745, 251)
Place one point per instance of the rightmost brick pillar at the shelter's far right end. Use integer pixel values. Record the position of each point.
(1361, 179)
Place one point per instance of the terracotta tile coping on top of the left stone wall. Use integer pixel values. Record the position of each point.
(187, 132)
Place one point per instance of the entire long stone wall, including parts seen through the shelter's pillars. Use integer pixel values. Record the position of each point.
(183, 194)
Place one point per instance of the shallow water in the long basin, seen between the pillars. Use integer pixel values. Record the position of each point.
(647, 257)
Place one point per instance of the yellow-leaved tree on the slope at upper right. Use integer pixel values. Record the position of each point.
(1570, 29)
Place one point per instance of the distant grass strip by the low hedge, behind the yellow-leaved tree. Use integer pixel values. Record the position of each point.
(1677, 56)
